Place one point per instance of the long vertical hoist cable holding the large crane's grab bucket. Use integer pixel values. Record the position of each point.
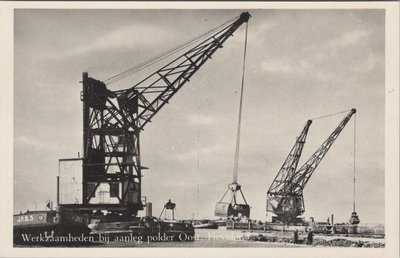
(236, 165)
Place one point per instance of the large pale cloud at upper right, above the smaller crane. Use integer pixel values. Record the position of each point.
(323, 60)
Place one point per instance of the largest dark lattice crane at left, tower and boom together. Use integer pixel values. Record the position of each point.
(112, 121)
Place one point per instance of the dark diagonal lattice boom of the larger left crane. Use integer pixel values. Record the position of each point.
(155, 90)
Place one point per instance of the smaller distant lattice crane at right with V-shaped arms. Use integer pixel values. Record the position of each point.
(285, 195)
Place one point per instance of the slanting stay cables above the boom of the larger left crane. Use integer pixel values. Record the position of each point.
(163, 55)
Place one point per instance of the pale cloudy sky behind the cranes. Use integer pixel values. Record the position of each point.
(300, 64)
